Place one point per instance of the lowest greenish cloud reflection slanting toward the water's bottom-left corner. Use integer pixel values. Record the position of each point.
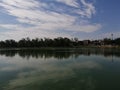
(32, 78)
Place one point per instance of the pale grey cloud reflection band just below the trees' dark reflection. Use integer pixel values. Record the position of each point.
(49, 64)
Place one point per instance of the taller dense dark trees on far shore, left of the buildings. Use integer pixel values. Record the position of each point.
(38, 42)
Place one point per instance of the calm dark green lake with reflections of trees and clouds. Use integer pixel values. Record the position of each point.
(60, 69)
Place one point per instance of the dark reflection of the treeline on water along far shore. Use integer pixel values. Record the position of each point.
(60, 53)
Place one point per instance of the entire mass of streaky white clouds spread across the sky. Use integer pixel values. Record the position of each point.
(47, 22)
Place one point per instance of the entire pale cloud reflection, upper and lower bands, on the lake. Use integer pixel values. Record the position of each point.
(42, 71)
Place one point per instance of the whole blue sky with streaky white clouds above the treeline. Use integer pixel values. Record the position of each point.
(83, 19)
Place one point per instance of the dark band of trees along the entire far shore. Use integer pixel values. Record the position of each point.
(57, 42)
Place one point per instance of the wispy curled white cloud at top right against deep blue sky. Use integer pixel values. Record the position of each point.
(84, 9)
